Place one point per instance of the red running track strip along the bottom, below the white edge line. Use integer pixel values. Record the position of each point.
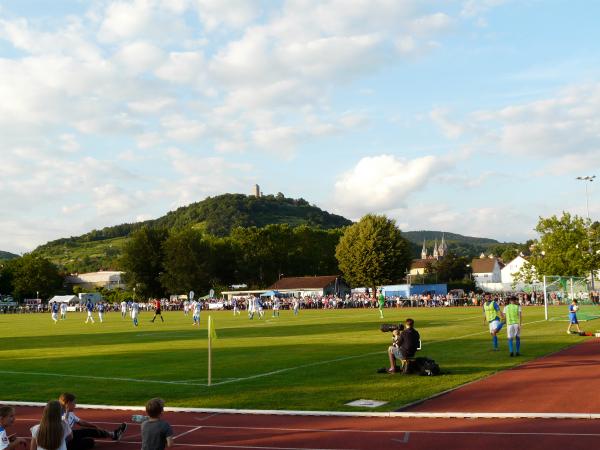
(234, 431)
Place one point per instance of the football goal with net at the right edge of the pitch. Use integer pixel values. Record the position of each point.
(560, 291)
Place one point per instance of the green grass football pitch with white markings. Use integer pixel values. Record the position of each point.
(319, 360)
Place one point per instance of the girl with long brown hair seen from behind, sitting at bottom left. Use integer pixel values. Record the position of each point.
(52, 432)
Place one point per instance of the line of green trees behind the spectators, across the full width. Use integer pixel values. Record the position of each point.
(372, 252)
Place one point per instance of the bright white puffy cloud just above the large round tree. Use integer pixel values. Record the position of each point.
(383, 182)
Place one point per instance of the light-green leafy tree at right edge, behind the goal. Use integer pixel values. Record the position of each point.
(564, 246)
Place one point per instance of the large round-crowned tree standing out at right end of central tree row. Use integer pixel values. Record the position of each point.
(373, 252)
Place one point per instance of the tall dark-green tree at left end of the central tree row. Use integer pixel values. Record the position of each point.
(142, 261)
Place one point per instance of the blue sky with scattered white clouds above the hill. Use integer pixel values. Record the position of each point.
(467, 116)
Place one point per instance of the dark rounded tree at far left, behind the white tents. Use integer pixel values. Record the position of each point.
(34, 275)
